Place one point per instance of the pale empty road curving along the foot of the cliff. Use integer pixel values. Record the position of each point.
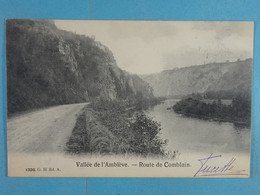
(45, 130)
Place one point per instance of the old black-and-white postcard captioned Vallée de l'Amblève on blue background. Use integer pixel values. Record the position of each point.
(128, 98)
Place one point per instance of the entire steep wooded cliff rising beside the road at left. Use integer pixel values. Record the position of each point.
(47, 66)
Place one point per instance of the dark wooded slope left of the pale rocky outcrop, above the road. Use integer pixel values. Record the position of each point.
(37, 75)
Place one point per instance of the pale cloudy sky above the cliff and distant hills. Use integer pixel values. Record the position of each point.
(145, 47)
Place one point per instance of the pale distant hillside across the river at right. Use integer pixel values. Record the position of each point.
(228, 76)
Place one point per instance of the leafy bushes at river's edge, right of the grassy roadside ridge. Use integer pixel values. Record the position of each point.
(135, 132)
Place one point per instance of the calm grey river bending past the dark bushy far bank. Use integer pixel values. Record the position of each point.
(191, 135)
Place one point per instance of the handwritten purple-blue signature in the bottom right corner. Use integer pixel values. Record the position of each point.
(208, 170)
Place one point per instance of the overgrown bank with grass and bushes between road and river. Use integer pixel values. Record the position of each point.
(112, 128)
